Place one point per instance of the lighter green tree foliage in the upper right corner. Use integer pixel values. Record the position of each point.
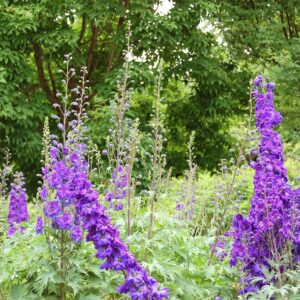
(264, 37)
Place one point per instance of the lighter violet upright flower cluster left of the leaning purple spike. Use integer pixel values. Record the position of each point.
(58, 177)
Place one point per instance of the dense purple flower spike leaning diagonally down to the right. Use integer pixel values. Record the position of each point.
(108, 243)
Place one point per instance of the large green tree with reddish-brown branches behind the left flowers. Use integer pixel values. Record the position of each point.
(35, 36)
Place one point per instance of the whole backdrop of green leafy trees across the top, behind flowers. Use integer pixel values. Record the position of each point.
(210, 51)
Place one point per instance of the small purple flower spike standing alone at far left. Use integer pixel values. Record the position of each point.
(17, 206)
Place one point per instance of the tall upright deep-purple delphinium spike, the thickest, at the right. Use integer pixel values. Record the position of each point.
(271, 223)
